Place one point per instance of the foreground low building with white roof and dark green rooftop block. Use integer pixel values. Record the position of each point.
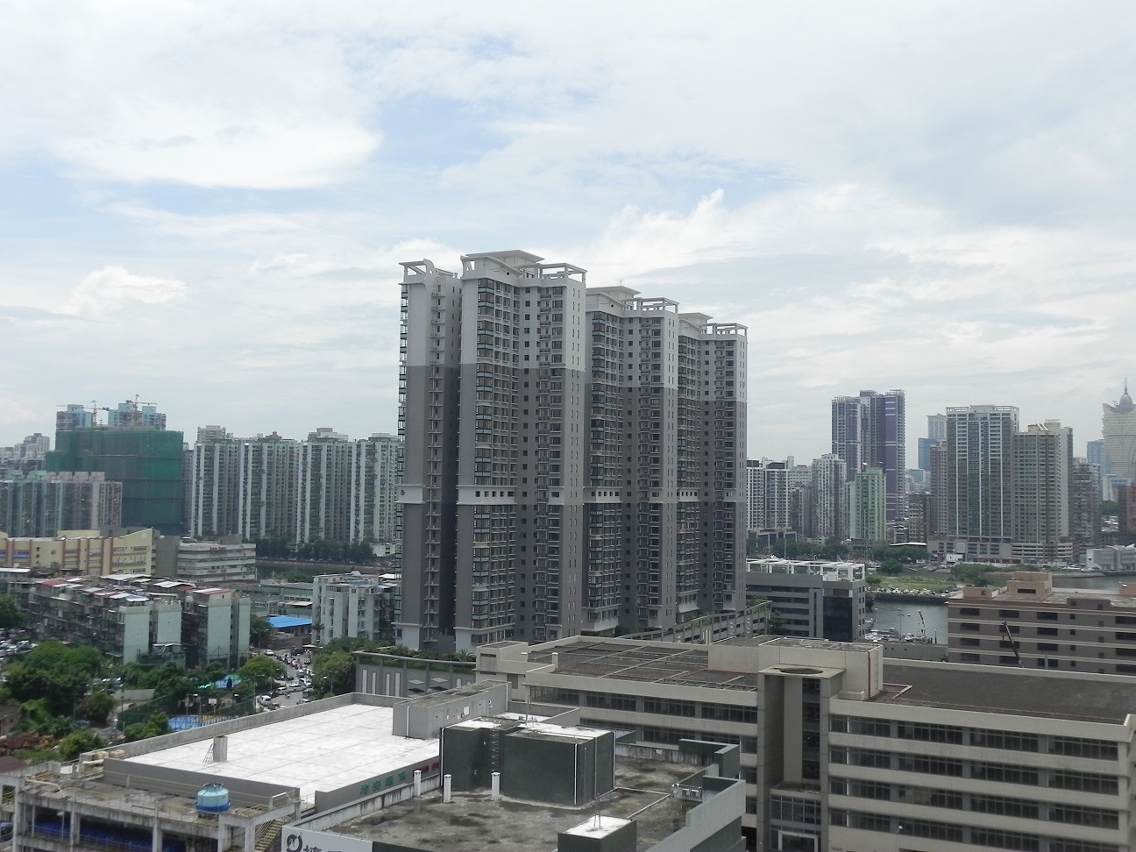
(454, 773)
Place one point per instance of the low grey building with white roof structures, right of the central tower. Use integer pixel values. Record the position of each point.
(812, 599)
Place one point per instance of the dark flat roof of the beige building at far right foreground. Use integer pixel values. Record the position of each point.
(991, 689)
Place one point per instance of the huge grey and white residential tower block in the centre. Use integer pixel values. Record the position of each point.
(574, 457)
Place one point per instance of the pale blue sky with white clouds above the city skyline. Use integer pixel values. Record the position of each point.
(205, 204)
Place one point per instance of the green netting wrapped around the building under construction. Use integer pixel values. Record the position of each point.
(148, 463)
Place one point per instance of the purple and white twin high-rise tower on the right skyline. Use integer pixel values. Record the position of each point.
(870, 431)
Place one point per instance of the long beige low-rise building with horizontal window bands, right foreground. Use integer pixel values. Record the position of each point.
(845, 750)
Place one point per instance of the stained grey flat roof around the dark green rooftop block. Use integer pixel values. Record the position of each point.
(473, 823)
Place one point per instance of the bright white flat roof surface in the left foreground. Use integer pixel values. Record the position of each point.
(324, 751)
